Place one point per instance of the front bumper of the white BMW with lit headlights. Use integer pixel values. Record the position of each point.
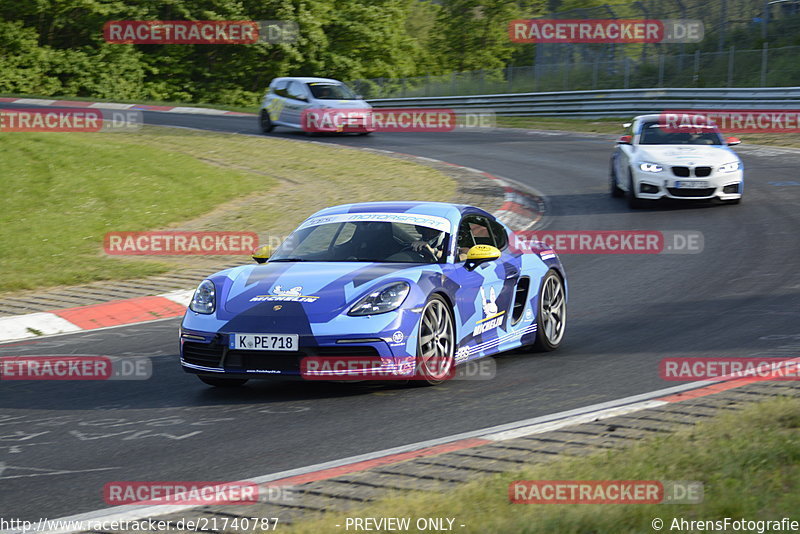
(724, 186)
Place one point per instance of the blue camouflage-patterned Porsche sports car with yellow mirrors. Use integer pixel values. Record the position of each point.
(413, 288)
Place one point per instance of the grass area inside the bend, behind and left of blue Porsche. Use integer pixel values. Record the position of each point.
(63, 191)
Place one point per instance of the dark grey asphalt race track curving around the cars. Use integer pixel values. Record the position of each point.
(60, 442)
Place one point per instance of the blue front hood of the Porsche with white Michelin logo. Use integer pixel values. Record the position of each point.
(321, 289)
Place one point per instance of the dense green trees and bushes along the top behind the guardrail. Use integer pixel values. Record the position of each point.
(56, 47)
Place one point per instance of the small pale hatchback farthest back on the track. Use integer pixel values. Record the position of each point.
(288, 99)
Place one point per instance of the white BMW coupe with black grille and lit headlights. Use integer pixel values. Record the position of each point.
(652, 162)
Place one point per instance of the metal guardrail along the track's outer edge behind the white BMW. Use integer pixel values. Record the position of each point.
(607, 103)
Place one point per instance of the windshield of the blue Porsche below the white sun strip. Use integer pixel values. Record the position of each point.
(364, 241)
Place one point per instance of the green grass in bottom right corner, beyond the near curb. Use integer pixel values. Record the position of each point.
(749, 463)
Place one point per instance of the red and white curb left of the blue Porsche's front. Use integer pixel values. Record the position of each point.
(94, 316)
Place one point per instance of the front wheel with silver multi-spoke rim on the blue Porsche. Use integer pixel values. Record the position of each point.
(435, 343)
